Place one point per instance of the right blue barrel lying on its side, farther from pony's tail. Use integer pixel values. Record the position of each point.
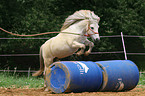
(118, 75)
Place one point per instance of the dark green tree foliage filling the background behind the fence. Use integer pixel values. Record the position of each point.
(30, 17)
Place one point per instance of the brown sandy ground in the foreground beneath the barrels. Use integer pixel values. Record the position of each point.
(39, 92)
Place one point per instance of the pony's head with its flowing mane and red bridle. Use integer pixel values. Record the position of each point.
(83, 15)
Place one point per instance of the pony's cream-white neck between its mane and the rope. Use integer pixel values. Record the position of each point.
(78, 28)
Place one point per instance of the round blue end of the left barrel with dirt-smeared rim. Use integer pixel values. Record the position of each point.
(58, 78)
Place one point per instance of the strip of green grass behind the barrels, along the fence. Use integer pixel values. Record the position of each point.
(8, 80)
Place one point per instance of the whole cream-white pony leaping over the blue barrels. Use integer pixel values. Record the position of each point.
(73, 35)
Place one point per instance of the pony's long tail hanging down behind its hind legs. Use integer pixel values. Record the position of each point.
(39, 72)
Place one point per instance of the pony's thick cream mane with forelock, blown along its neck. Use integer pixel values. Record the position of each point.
(78, 16)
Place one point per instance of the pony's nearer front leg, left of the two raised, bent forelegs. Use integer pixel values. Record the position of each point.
(79, 45)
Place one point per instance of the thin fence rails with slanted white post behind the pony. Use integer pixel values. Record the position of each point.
(115, 52)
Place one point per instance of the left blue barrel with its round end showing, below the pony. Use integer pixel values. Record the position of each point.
(74, 76)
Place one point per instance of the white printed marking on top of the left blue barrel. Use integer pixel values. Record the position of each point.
(82, 67)
